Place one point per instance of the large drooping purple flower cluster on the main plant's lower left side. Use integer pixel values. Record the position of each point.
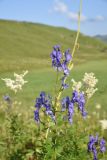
(43, 101)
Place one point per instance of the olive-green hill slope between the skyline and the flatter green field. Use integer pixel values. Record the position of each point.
(27, 45)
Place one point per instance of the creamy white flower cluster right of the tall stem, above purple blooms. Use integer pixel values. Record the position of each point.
(88, 83)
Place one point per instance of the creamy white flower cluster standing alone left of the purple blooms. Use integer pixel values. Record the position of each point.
(16, 84)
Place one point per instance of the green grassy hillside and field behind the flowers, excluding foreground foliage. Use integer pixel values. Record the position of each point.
(28, 46)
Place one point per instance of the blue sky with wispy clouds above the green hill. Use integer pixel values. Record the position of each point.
(59, 13)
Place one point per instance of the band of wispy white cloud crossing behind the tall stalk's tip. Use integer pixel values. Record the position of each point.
(62, 8)
